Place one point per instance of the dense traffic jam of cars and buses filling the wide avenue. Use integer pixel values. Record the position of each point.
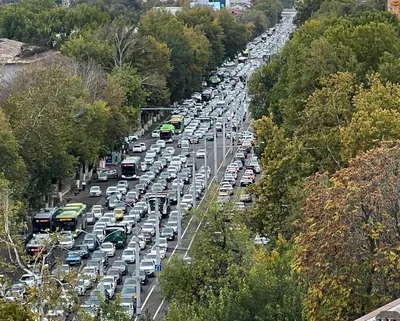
(138, 209)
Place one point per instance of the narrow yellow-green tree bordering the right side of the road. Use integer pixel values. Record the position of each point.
(285, 163)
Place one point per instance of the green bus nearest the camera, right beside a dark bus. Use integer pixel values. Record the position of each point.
(72, 218)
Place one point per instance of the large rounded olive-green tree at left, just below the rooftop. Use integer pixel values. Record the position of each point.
(44, 110)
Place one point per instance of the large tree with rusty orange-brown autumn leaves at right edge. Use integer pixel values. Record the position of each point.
(348, 245)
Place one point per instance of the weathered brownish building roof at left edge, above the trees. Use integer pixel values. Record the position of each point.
(15, 52)
